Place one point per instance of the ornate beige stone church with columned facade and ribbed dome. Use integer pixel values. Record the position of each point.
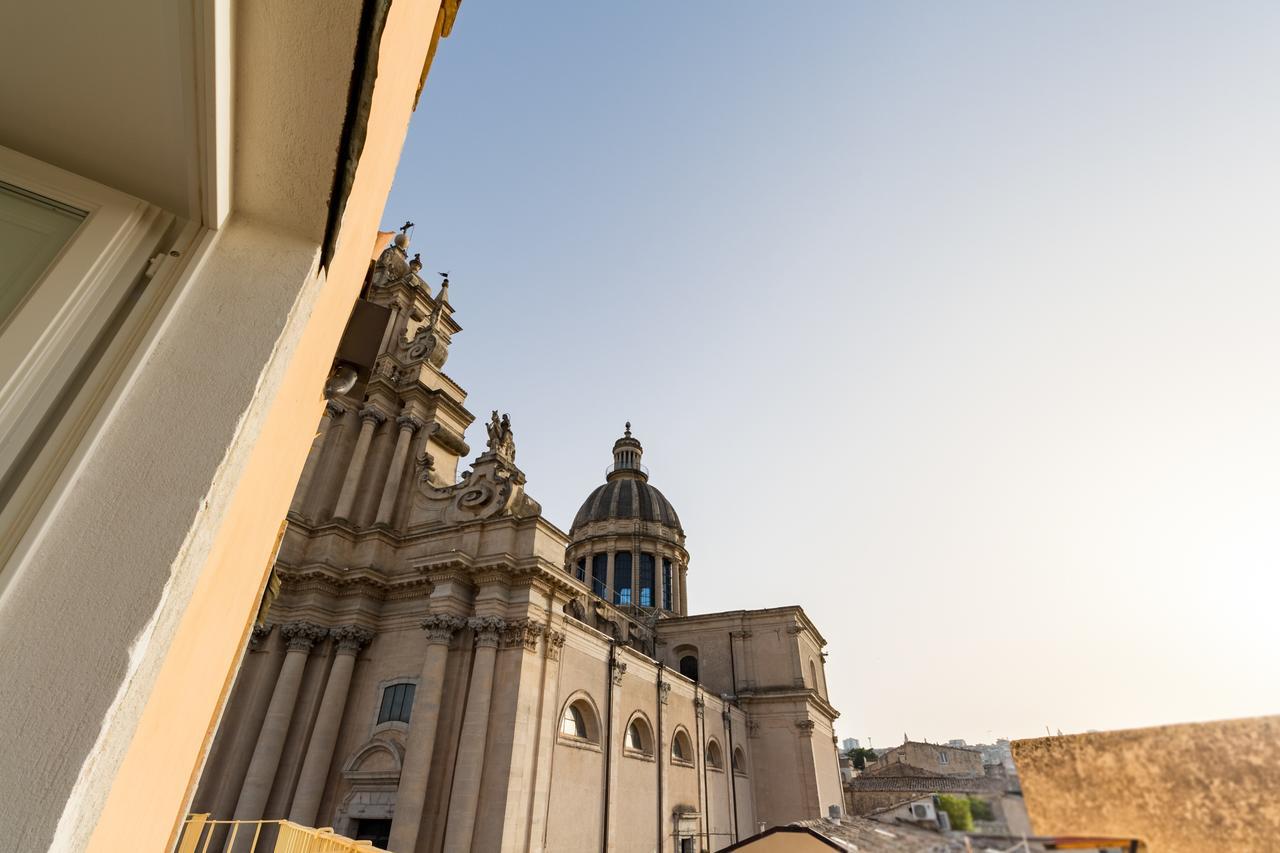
(441, 668)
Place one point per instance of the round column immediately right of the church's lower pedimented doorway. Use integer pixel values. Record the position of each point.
(423, 722)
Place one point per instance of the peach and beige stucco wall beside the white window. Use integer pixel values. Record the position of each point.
(161, 551)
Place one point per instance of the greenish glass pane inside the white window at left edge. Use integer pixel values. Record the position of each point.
(33, 231)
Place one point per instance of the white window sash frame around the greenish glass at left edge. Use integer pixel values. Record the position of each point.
(61, 320)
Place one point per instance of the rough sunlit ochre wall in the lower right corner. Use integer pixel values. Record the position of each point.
(1187, 788)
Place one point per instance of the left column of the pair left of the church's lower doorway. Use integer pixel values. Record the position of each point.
(276, 726)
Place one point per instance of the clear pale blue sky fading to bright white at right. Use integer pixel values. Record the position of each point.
(956, 325)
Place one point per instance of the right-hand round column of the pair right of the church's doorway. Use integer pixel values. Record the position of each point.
(476, 732)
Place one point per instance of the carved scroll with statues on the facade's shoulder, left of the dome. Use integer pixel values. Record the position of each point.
(492, 489)
